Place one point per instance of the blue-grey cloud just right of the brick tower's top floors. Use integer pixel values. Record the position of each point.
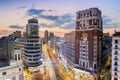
(108, 22)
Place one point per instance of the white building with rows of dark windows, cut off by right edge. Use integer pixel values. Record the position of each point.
(115, 70)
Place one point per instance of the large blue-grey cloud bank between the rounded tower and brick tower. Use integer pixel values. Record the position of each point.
(65, 21)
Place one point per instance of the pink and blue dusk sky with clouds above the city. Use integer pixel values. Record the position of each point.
(55, 15)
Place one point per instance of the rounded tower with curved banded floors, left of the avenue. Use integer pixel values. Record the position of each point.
(32, 49)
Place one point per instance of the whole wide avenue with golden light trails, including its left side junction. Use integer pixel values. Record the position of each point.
(51, 69)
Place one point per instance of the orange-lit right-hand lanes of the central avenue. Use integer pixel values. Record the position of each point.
(61, 73)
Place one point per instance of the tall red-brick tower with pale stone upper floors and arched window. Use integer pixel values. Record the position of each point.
(88, 39)
